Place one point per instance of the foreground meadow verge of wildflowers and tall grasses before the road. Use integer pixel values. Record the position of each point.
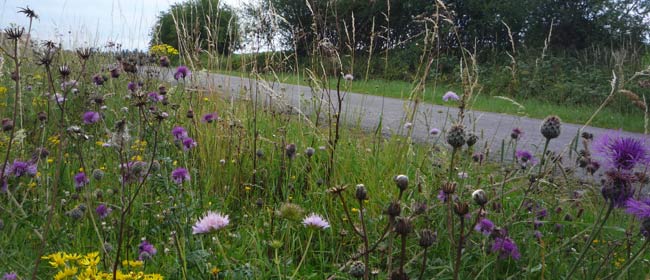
(109, 172)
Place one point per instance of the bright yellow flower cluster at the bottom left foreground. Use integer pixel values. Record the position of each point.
(75, 266)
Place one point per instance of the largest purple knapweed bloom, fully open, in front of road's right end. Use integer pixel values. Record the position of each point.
(621, 152)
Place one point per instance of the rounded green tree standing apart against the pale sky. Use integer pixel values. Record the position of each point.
(198, 24)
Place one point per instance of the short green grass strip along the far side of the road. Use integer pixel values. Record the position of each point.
(631, 120)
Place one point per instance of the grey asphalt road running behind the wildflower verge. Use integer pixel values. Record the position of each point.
(369, 111)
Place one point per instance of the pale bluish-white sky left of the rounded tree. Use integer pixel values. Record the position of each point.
(80, 23)
